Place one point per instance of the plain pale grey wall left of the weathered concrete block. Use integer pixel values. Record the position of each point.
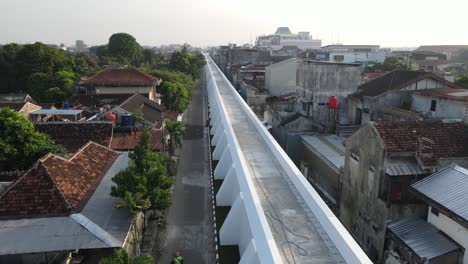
(280, 78)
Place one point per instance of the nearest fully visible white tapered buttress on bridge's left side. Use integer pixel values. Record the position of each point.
(229, 234)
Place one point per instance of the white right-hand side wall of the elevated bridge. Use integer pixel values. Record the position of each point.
(338, 234)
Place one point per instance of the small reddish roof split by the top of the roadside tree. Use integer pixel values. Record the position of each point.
(127, 141)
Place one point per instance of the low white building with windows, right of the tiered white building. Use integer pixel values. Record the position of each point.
(355, 53)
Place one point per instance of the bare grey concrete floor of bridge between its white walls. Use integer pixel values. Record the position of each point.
(298, 235)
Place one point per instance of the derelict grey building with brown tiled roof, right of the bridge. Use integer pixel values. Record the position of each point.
(382, 160)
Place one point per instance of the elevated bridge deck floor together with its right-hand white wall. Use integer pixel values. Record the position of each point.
(298, 219)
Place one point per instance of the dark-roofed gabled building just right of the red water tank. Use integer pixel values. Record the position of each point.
(388, 97)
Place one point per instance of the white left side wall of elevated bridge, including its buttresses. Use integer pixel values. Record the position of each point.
(250, 230)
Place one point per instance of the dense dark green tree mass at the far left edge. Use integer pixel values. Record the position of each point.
(47, 74)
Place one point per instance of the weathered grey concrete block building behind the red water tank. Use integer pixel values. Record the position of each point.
(317, 82)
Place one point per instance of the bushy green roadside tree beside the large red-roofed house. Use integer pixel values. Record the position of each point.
(145, 178)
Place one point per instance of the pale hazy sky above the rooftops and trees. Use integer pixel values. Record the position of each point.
(215, 22)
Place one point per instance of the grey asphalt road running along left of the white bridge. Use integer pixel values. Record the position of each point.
(189, 221)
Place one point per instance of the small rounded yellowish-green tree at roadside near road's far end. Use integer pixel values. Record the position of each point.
(175, 96)
